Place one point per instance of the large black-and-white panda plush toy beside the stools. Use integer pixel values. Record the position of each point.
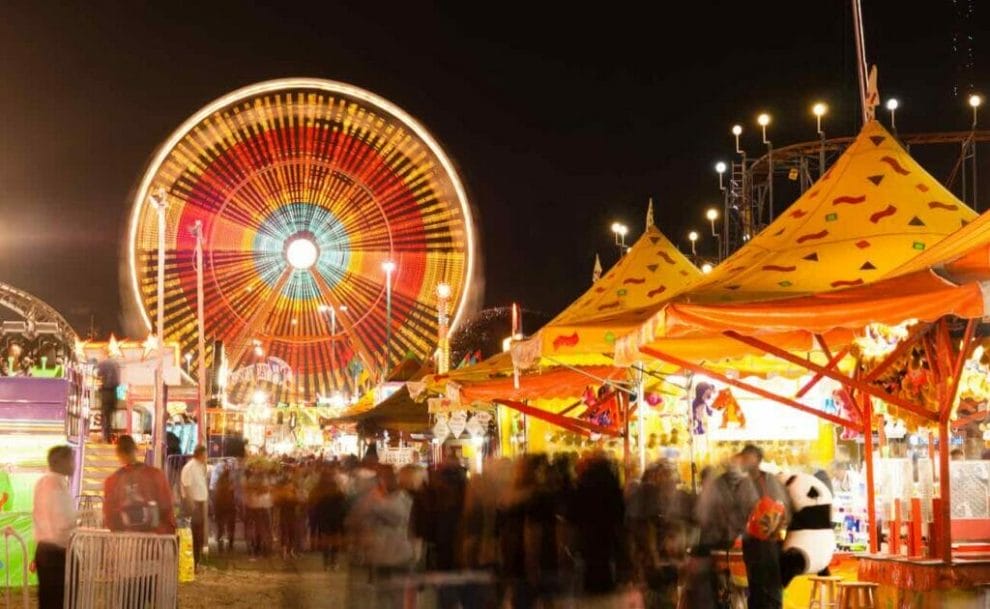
(810, 540)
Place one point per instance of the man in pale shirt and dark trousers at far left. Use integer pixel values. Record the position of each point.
(54, 519)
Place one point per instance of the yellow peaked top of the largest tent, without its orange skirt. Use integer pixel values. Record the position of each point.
(845, 216)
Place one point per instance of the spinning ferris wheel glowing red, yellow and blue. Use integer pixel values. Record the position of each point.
(329, 218)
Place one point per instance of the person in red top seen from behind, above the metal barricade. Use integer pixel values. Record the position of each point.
(137, 497)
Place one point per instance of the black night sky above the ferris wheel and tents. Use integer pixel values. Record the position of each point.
(562, 119)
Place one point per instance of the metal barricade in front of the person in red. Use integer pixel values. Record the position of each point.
(107, 570)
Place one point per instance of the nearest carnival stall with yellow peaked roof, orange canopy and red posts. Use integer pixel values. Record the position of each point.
(844, 267)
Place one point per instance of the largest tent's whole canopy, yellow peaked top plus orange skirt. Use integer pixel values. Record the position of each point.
(873, 212)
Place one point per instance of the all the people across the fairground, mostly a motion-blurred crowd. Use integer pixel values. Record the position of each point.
(525, 533)
